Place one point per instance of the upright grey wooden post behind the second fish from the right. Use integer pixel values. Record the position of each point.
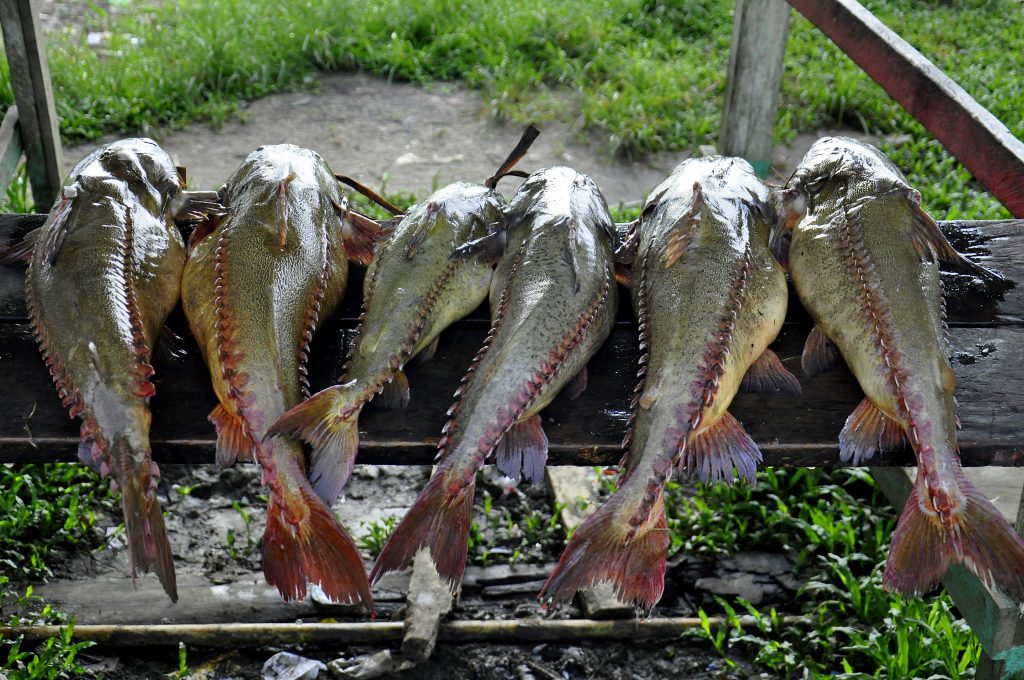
(760, 30)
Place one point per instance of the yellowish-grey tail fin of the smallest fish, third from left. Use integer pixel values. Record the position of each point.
(329, 422)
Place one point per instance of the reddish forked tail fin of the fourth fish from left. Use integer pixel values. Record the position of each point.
(439, 522)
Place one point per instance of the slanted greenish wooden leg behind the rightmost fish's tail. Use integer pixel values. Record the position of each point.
(994, 617)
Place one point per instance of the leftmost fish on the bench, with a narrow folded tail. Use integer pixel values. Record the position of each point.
(105, 273)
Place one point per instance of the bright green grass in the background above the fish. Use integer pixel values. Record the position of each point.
(638, 75)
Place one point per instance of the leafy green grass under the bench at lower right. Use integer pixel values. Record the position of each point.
(838, 525)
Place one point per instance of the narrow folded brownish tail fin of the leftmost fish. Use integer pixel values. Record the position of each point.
(149, 546)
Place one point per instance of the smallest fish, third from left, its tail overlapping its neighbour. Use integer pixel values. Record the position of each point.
(414, 289)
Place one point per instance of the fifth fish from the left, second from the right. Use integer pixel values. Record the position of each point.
(709, 300)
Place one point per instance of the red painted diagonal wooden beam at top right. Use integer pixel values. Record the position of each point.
(967, 130)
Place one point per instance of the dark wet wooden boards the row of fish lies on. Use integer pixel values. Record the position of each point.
(988, 352)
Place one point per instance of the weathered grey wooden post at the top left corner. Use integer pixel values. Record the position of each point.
(30, 77)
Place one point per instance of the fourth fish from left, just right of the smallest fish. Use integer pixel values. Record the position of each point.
(553, 302)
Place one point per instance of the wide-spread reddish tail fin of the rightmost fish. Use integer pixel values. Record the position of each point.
(982, 538)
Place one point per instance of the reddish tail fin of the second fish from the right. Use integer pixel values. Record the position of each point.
(602, 550)
